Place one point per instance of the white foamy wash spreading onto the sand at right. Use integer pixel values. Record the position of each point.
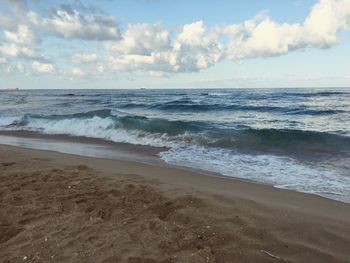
(281, 172)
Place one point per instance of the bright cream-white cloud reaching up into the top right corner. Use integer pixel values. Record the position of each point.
(263, 37)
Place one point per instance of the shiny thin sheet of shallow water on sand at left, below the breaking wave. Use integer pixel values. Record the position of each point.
(83, 146)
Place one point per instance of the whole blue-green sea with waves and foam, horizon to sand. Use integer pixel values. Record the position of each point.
(295, 139)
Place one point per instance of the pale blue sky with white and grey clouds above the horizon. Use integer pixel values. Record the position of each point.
(174, 44)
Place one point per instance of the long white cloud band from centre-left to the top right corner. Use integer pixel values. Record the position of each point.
(147, 47)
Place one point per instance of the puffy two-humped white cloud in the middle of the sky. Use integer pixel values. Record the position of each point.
(148, 47)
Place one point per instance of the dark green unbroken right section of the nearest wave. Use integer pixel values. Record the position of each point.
(284, 141)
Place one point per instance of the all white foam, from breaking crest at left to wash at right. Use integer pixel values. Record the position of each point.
(282, 172)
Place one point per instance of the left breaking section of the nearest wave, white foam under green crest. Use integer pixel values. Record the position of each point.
(103, 124)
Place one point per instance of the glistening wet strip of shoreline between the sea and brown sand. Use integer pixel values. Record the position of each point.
(105, 149)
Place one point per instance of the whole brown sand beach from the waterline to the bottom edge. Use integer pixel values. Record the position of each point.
(63, 208)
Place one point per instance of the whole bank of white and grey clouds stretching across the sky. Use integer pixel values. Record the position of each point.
(159, 51)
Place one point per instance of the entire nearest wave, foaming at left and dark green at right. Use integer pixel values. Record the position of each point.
(106, 124)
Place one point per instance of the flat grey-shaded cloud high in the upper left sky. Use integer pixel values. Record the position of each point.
(73, 25)
